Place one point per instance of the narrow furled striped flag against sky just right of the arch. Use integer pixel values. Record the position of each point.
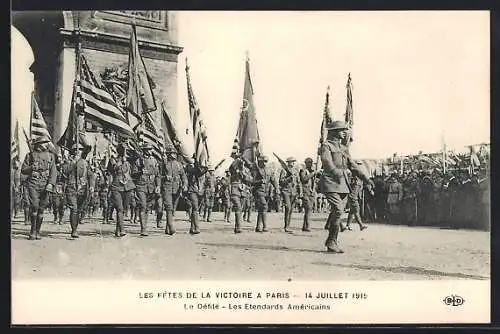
(201, 154)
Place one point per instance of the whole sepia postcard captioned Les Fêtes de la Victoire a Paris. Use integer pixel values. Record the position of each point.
(304, 161)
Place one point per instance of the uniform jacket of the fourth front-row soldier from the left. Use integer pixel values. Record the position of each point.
(146, 174)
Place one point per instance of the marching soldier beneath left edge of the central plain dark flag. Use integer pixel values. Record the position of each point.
(240, 178)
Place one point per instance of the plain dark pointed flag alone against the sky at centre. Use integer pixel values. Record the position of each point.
(247, 139)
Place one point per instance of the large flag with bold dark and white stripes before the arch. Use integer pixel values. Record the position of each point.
(99, 105)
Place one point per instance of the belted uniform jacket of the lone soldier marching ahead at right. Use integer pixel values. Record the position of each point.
(336, 160)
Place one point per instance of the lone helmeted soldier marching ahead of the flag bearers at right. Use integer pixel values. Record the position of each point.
(336, 160)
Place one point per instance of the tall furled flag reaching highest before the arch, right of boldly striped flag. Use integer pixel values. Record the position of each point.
(140, 98)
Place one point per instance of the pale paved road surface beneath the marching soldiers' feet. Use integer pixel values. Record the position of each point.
(382, 252)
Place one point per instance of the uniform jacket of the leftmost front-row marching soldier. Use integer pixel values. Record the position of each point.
(40, 168)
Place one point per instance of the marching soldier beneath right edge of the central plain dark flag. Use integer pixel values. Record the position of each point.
(262, 180)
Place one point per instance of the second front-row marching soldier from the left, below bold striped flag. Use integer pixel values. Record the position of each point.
(79, 185)
